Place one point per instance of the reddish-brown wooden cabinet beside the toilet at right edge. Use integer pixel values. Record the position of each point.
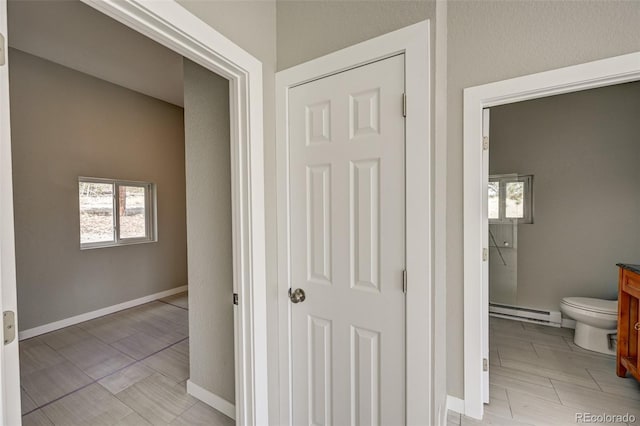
(628, 321)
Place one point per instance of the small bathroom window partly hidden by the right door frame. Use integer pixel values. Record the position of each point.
(510, 198)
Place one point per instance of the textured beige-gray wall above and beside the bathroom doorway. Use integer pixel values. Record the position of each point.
(495, 40)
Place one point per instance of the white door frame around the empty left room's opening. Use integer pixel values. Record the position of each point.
(171, 25)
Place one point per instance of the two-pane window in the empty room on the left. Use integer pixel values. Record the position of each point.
(114, 212)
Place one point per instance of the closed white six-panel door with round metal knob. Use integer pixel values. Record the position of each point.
(347, 186)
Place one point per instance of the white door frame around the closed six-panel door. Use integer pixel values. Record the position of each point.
(413, 41)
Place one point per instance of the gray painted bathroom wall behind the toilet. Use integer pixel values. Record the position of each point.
(583, 149)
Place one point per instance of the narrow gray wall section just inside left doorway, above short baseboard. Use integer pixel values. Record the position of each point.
(210, 256)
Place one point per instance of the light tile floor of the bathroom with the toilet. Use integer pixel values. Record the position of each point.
(538, 376)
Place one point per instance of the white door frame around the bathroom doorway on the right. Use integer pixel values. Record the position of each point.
(605, 72)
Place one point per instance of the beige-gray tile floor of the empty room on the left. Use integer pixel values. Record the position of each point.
(128, 368)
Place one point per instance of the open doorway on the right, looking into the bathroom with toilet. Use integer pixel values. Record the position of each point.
(561, 213)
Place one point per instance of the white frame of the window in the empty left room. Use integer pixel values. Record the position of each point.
(151, 222)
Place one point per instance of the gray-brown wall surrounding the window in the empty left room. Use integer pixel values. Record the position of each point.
(66, 124)
